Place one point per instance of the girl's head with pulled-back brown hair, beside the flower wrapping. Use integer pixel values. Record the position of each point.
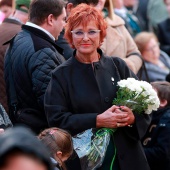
(59, 143)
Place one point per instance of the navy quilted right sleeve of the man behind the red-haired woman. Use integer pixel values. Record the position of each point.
(40, 67)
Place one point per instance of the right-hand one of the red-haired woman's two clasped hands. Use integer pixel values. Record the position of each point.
(131, 117)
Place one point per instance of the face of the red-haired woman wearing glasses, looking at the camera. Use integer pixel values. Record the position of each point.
(90, 41)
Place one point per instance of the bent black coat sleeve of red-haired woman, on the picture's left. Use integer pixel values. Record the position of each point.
(58, 108)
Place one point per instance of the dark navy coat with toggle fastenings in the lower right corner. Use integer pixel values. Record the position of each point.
(157, 140)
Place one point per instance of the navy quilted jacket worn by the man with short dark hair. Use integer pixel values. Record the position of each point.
(34, 55)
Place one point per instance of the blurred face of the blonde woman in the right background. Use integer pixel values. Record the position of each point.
(151, 51)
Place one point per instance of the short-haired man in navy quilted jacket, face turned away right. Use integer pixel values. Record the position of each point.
(30, 60)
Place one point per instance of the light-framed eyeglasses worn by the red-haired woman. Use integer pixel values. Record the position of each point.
(81, 34)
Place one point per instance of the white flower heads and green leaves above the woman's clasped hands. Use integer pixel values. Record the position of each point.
(137, 95)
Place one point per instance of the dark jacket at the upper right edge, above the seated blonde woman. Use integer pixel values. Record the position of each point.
(164, 35)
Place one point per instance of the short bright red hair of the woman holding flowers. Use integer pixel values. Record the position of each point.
(82, 14)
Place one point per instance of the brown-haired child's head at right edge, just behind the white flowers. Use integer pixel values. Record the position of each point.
(163, 91)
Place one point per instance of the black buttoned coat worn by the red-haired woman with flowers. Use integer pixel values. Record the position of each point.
(78, 92)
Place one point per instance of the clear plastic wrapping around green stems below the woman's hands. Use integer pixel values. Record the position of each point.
(91, 146)
